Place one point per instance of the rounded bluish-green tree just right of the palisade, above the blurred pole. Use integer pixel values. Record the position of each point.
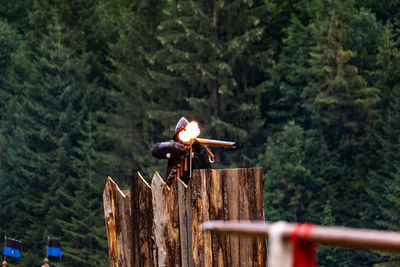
(290, 186)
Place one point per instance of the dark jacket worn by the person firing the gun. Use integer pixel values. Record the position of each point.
(168, 150)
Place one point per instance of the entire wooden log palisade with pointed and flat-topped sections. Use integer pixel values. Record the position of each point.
(161, 225)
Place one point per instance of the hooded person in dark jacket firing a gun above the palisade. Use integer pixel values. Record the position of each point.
(178, 155)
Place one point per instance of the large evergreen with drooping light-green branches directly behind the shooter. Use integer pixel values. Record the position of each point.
(208, 72)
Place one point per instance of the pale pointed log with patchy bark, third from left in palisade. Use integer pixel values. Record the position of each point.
(166, 222)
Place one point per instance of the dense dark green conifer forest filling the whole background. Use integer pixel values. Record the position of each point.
(309, 91)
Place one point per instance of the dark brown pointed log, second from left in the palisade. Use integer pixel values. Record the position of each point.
(143, 247)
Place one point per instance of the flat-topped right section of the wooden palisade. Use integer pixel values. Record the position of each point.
(233, 194)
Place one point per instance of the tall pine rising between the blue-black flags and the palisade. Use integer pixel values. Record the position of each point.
(80, 194)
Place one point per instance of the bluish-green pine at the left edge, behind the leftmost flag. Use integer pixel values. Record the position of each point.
(22, 170)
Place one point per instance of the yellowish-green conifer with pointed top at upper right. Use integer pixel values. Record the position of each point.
(340, 93)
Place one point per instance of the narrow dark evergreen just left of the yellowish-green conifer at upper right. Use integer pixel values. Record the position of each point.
(283, 100)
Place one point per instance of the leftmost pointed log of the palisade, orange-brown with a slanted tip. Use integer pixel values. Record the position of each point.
(117, 218)
